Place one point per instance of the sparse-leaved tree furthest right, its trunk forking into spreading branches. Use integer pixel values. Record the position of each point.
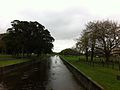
(107, 37)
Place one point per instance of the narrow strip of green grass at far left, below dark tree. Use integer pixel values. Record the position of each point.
(11, 62)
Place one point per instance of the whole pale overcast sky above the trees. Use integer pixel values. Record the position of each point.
(65, 19)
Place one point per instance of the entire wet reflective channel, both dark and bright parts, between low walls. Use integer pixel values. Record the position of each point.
(50, 74)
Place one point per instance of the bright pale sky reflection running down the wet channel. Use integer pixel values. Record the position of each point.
(60, 78)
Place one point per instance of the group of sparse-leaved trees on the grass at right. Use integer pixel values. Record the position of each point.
(99, 38)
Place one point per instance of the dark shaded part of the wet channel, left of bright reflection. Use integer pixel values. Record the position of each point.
(30, 77)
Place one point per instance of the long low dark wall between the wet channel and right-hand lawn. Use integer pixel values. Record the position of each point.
(86, 82)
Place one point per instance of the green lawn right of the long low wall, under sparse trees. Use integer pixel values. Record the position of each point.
(104, 76)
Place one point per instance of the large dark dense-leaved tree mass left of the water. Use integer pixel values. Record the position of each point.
(26, 38)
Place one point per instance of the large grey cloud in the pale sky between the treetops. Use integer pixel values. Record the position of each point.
(65, 24)
